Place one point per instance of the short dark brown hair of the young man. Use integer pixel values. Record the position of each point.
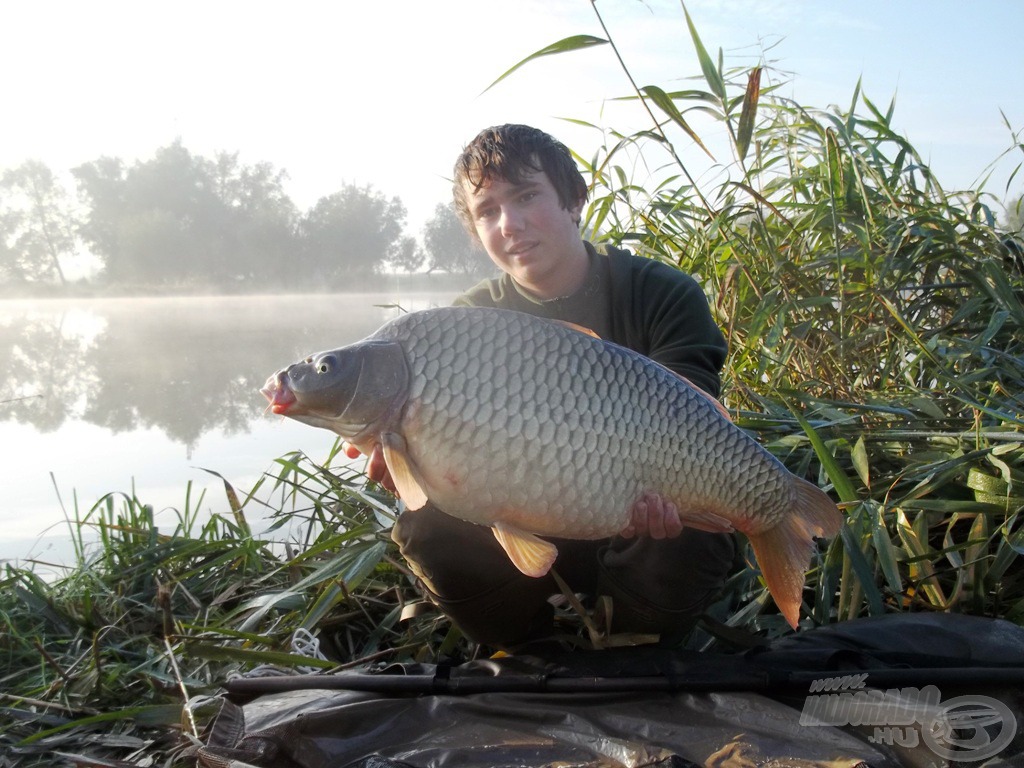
(511, 152)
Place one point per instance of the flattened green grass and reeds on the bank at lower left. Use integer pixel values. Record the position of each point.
(103, 659)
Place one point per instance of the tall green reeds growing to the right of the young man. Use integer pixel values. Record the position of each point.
(876, 330)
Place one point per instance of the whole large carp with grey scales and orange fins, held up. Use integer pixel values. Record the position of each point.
(533, 428)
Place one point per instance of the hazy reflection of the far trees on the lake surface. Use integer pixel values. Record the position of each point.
(186, 367)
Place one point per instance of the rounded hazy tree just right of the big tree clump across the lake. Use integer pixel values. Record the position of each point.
(354, 233)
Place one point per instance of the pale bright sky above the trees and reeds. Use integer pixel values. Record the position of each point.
(387, 93)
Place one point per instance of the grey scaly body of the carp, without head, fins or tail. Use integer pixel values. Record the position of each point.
(518, 420)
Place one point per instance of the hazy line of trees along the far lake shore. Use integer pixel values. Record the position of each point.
(181, 221)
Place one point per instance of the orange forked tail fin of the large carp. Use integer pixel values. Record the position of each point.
(785, 551)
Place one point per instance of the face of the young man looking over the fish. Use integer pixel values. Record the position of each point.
(527, 233)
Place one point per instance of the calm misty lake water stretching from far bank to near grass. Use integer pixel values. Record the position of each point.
(106, 396)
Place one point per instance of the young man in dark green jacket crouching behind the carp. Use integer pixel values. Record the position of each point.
(520, 193)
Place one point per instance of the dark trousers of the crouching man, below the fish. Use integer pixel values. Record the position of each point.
(658, 587)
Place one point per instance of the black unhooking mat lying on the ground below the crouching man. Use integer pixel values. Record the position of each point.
(918, 691)
